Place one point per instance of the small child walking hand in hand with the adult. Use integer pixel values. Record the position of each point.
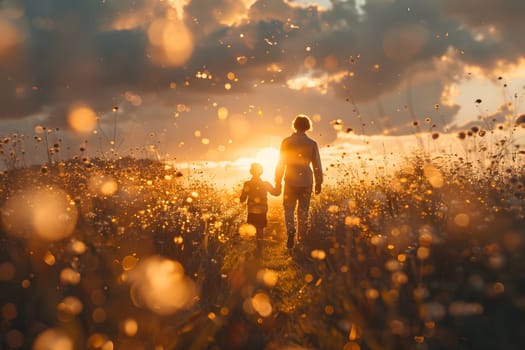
(255, 192)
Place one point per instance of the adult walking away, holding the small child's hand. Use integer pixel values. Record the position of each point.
(299, 163)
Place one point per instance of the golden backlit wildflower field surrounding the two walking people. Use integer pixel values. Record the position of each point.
(127, 253)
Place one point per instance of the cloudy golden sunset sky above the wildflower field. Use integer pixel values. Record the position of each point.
(220, 80)
